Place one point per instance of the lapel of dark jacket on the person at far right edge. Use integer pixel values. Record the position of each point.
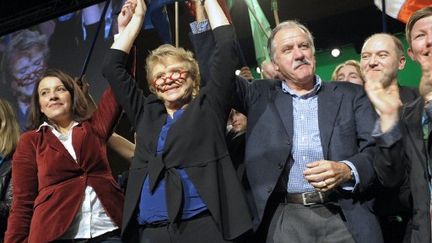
(411, 117)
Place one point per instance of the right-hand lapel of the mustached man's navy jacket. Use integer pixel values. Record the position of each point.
(329, 101)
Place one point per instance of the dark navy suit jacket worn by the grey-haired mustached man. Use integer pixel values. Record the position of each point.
(346, 120)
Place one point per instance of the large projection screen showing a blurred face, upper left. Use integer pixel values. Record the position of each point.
(61, 43)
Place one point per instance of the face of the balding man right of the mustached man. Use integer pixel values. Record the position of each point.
(380, 56)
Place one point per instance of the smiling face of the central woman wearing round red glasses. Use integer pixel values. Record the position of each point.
(172, 82)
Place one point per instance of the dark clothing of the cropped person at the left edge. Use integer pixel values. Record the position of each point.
(5, 194)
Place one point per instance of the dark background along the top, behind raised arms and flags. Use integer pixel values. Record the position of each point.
(333, 22)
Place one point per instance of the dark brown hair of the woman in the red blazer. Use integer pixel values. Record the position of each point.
(79, 102)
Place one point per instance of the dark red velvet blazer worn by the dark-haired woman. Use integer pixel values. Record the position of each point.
(49, 185)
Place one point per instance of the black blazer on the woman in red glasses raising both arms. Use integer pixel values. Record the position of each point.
(196, 142)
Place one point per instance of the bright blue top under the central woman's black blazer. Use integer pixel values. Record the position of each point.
(153, 206)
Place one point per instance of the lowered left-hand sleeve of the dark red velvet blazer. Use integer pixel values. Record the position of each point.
(25, 181)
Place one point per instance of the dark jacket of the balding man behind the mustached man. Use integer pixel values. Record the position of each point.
(392, 173)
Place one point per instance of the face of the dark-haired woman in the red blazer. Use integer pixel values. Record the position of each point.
(55, 100)
